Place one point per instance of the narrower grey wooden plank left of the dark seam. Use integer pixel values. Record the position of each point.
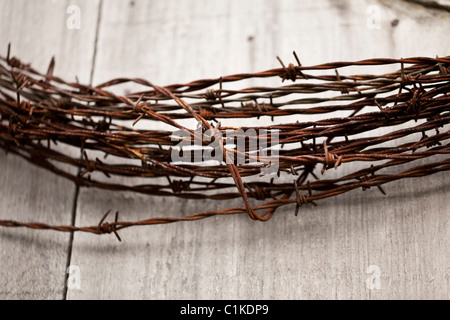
(33, 264)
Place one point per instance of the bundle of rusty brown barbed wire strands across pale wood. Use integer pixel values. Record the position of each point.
(41, 112)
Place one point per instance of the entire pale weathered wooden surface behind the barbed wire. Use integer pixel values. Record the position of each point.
(322, 254)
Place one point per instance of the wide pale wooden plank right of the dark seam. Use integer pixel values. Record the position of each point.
(326, 251)
